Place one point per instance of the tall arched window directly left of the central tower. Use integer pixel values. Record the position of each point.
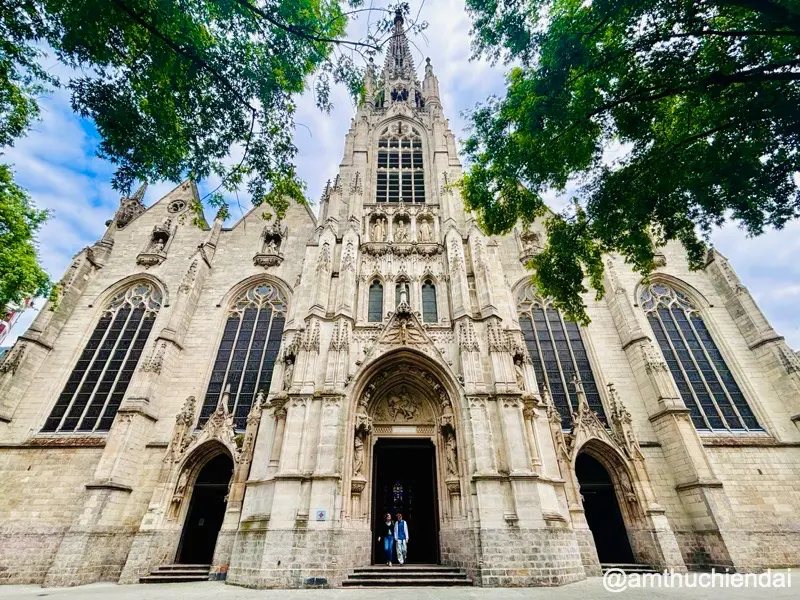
(247, 351)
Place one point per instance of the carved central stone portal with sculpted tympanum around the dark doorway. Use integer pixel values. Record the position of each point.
(403, 407)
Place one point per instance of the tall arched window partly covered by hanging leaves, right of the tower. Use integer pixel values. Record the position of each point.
(558, 354)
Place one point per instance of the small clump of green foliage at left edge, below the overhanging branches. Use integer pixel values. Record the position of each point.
(20, 274)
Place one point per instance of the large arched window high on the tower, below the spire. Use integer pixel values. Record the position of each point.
(400, 177)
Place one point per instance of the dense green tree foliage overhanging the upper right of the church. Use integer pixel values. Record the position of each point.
(699, 101)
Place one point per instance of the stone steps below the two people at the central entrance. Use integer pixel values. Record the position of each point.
(407, 575)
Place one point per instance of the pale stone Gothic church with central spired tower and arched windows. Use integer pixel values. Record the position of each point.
(255, 396)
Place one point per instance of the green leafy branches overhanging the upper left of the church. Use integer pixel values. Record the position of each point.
(188, 88)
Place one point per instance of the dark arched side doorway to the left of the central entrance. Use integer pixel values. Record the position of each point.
(206, 512)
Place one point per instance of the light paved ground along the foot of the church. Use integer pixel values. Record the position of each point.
(585, 590)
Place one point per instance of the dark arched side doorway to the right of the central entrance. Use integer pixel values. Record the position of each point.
(602, 511)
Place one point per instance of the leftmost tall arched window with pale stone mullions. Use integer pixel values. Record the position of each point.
(97, 384)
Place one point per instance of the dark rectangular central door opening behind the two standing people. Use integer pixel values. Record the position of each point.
(405, 482)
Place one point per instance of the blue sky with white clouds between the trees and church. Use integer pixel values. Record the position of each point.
(56, 163)
